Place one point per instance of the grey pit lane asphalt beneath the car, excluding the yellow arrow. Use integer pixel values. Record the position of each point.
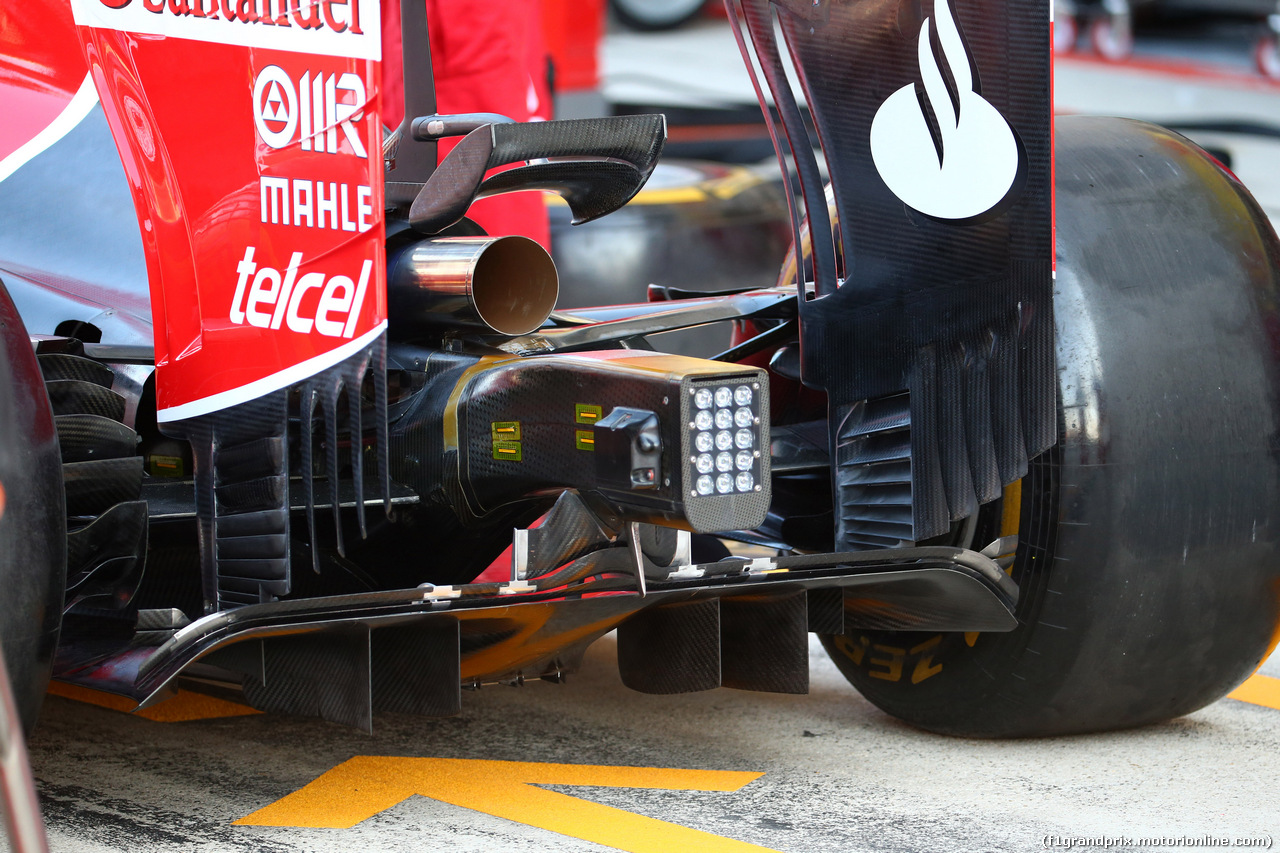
(839, 776)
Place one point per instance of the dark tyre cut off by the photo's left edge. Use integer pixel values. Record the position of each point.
(33, 519)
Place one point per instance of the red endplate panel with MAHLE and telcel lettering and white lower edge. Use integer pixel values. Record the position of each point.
(252, 140)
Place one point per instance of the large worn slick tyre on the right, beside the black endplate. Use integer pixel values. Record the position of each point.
(1149, 553)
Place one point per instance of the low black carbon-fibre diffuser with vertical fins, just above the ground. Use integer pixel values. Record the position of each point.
(738, 623)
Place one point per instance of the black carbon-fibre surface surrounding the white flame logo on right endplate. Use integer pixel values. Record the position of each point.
(957, 313)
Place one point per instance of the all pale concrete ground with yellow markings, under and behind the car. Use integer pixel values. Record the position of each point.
(817, 774)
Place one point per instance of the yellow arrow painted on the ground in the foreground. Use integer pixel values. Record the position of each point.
(363, 787)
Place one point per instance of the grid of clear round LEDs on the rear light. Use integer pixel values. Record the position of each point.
(725, 439)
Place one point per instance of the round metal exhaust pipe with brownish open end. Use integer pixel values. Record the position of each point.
(505, 285)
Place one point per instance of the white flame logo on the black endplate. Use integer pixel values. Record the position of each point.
(970, 165)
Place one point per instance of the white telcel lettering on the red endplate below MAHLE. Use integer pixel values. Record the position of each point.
(267, 299)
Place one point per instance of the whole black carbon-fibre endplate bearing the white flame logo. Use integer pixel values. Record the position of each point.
(918, 286)
